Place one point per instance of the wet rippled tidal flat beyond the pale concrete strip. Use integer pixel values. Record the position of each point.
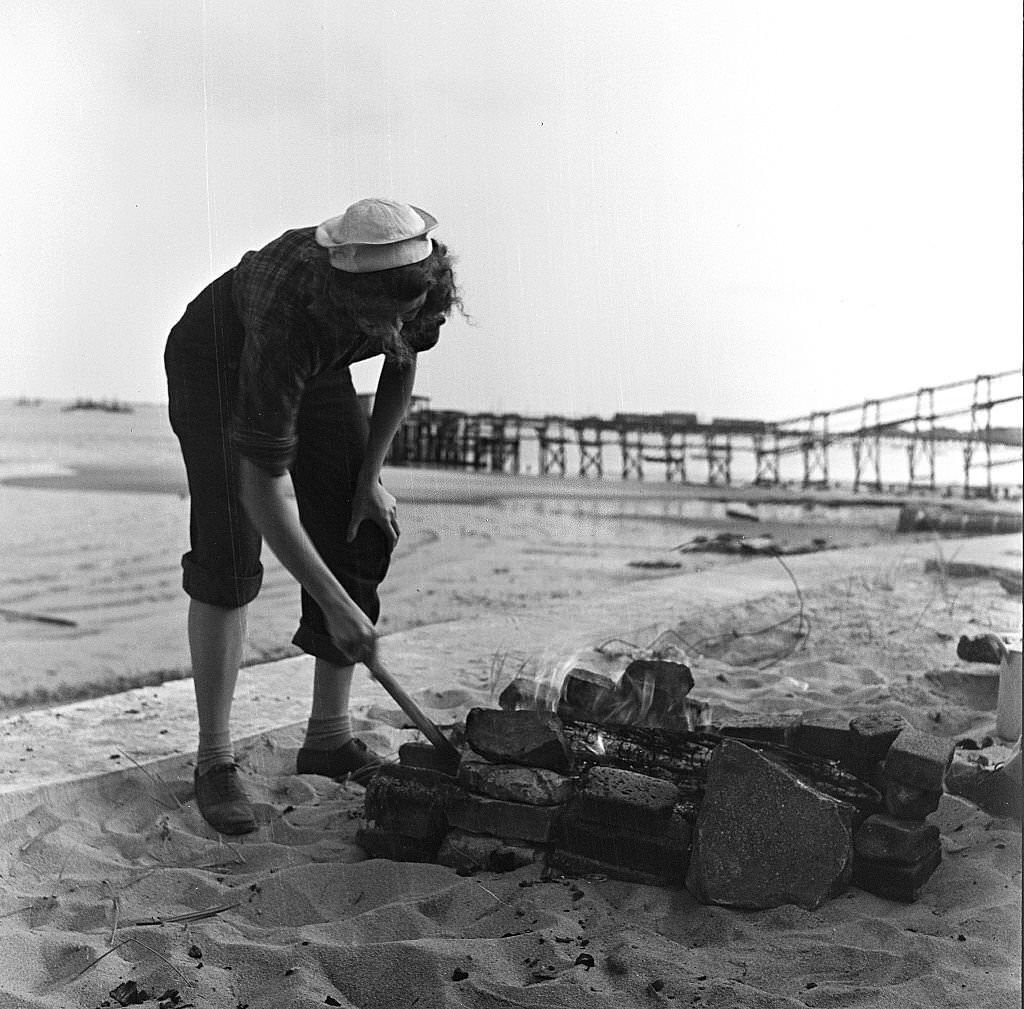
(96, 520)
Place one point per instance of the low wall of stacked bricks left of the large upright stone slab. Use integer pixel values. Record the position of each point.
(516, 798)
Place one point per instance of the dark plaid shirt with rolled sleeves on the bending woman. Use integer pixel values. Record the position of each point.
(289, 341)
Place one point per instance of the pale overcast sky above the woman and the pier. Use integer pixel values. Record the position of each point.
(748, 209)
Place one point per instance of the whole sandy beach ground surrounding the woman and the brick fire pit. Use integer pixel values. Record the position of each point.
(113, 880)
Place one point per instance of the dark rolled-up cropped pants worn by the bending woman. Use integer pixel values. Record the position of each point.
(223, 568)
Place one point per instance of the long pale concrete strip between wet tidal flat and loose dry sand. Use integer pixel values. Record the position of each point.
(45, 752)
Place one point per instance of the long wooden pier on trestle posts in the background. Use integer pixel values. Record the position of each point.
(727, 451)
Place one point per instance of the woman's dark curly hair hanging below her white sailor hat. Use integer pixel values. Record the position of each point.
(365, 295)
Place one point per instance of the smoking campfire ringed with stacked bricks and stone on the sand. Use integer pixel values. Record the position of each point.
(604, 766)
